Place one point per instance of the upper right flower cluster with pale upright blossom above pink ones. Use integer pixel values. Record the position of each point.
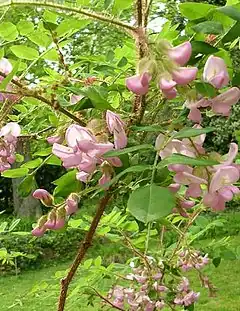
(215, 72)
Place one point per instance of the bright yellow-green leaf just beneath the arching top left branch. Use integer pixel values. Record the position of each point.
(70, 26)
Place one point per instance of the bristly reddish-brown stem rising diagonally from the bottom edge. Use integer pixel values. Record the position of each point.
(87, 242)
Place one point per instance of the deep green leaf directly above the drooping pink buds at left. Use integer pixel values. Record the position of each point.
(67, 184)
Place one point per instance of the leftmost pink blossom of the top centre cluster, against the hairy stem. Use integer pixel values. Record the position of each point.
(139, 84)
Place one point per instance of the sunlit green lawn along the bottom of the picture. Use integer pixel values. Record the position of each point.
(14, 290)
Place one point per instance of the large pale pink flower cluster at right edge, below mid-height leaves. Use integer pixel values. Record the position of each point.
(213, 183)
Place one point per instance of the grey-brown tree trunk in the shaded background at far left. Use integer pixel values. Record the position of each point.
(24, 207)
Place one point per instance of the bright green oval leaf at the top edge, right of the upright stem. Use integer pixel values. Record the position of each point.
(193, 10)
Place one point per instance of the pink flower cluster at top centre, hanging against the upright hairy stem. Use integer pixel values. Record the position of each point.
(169, 77)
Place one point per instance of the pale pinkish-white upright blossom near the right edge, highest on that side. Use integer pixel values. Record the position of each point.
(215, 72)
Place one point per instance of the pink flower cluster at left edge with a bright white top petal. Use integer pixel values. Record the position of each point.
(8, 141)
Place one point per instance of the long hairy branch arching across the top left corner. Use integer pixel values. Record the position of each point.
(49, 4)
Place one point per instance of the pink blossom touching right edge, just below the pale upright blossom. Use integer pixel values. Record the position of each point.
(222, 103)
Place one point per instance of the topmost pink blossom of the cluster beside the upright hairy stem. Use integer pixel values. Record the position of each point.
(181, 54)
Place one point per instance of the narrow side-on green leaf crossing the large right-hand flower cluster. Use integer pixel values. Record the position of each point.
(182, 159)
